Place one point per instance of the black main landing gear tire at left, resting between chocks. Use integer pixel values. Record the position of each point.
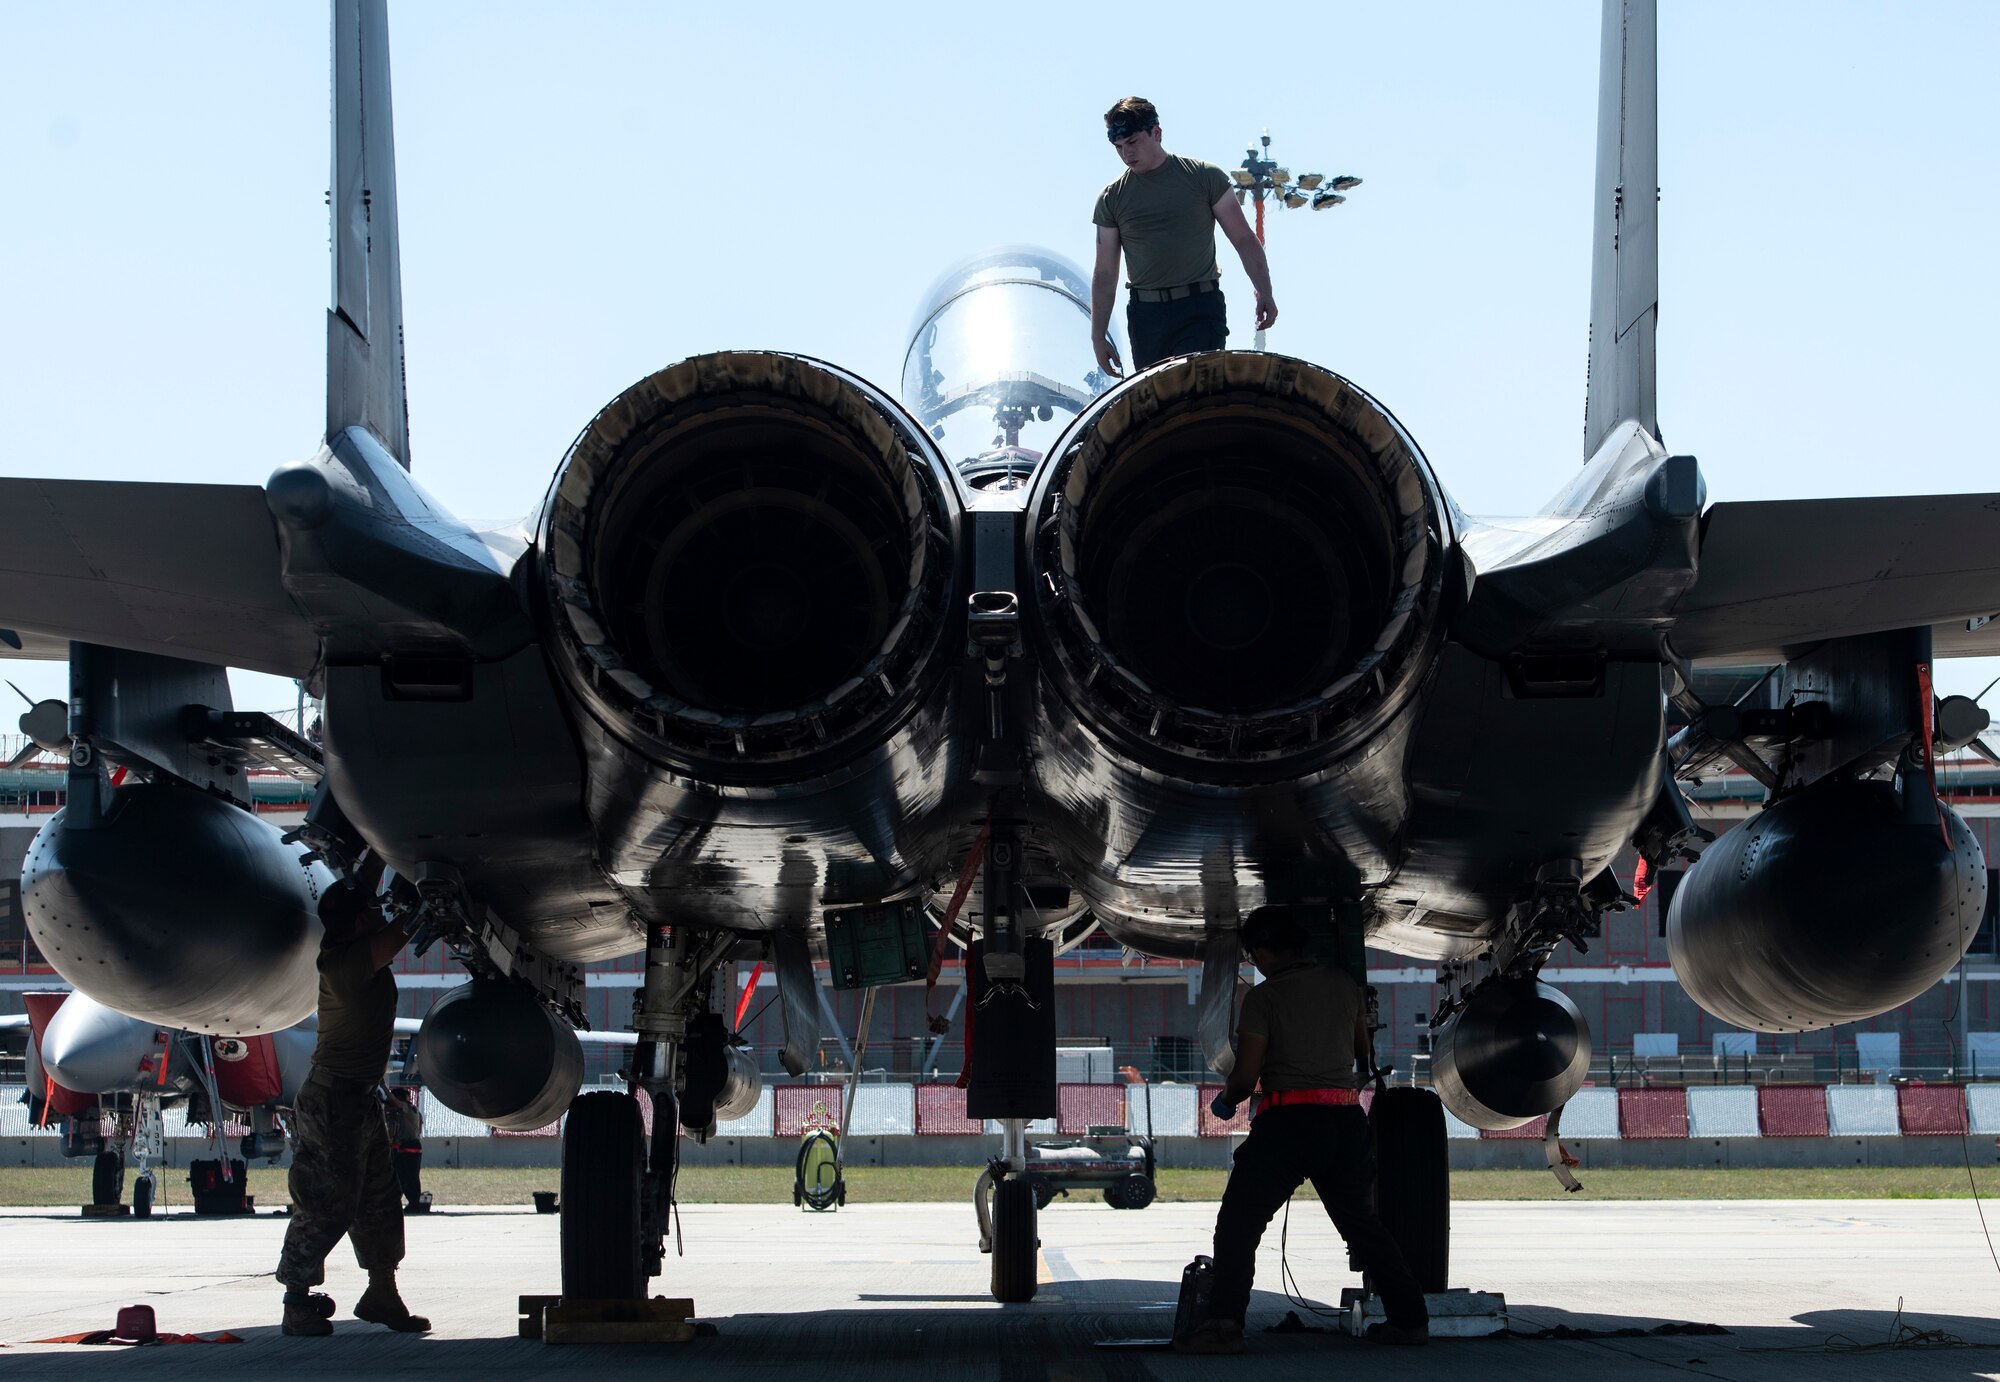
(603, 1161)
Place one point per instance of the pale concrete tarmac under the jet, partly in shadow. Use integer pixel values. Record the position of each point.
(1809, 1293)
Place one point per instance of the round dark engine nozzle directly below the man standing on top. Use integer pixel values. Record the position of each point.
(1239, 557)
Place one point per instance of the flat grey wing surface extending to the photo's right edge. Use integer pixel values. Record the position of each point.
(1791, 573)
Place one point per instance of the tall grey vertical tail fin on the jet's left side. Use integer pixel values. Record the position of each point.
(365, 381)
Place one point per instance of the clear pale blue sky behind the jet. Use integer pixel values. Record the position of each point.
(595, 191)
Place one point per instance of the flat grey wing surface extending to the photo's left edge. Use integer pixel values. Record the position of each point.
(189, 571)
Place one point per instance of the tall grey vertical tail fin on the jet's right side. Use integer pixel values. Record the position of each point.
(1625, 255)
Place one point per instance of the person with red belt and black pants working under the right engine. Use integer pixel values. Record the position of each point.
(1301, 1035)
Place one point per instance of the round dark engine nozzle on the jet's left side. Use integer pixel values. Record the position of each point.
(749, 561)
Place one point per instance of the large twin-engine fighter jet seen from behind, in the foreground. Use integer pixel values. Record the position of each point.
(781, 657)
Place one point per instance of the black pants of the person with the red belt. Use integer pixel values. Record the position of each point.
(1329, 1147)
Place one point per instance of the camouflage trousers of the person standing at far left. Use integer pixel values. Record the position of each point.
(343, 1183)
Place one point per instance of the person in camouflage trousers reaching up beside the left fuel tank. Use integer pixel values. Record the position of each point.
(343, 1181)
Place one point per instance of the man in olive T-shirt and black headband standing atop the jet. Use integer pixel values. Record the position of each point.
(1163, 217)
